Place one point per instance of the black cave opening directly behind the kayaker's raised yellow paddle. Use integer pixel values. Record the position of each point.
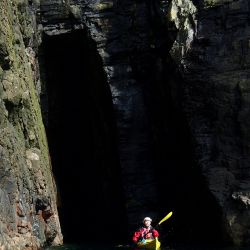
(197, 218)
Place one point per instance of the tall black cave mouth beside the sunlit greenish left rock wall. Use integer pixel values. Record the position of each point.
(78, 115)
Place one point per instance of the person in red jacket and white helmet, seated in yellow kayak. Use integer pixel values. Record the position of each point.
(145, 232)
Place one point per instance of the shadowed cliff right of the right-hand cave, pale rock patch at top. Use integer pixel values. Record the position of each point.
(212, 53)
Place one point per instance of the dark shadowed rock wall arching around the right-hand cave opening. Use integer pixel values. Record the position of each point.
(208, 41)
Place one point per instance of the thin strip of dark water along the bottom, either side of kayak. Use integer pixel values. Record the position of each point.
(121, 247)
